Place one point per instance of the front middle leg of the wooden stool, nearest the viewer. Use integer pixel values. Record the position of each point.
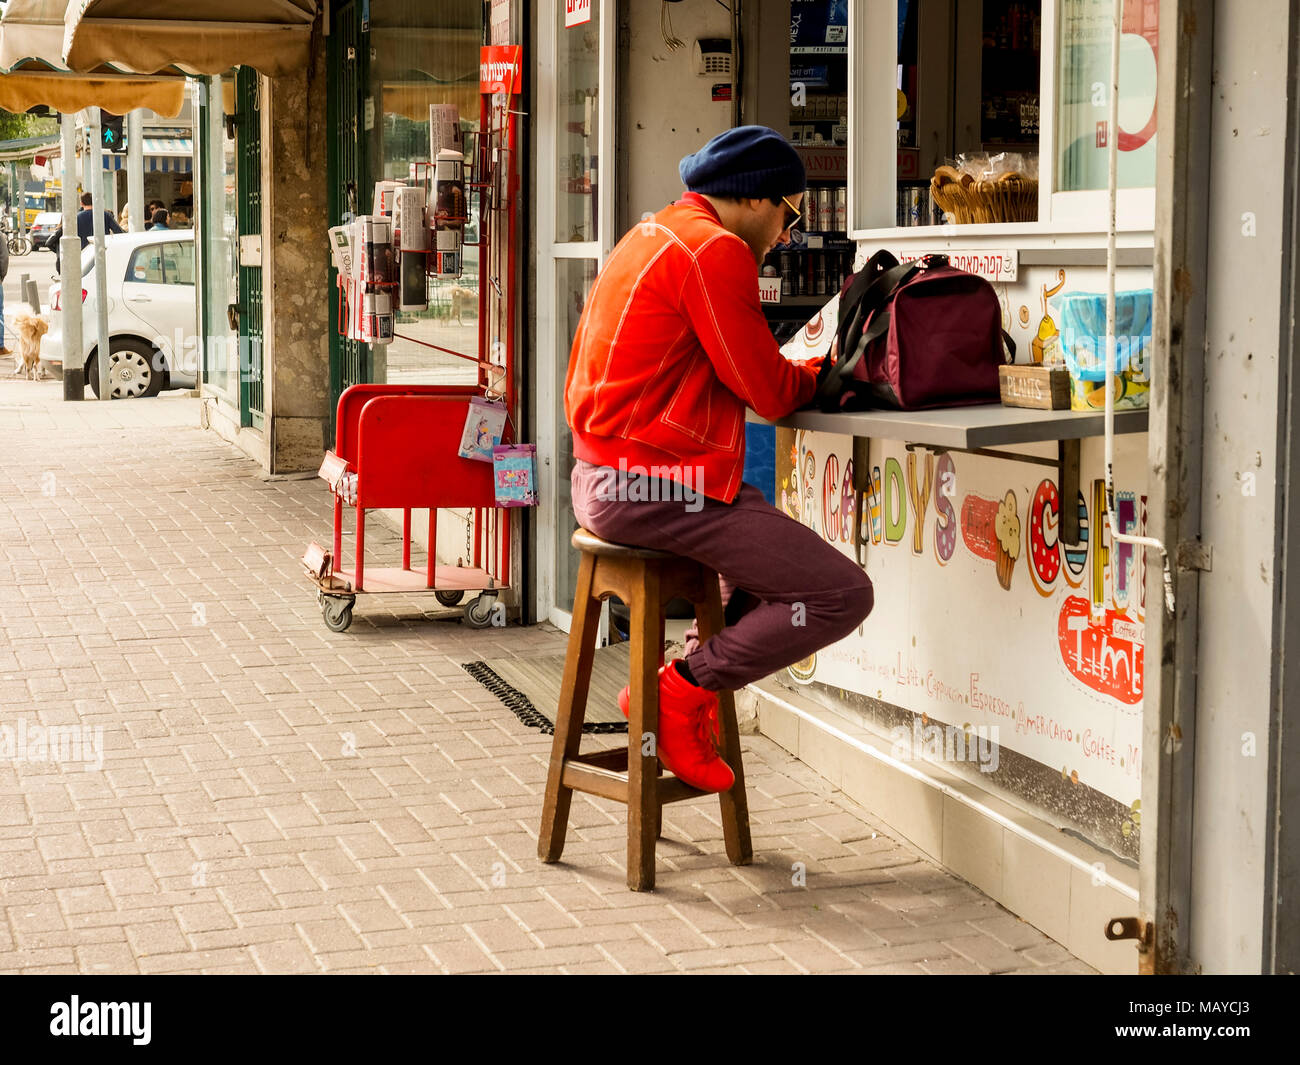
(644, 813)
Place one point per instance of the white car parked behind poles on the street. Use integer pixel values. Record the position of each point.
(153, 315)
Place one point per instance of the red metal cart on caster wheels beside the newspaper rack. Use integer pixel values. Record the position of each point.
(396, 448)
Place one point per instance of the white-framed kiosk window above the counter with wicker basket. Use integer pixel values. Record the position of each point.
(995, 112)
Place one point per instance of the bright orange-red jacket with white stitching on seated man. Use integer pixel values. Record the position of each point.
(671, 348)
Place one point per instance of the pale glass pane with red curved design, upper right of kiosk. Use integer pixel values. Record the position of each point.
(1084, 96)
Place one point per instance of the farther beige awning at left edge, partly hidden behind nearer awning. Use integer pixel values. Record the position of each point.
(32, 37)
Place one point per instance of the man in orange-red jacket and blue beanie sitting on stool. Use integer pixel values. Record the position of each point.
(670, 350)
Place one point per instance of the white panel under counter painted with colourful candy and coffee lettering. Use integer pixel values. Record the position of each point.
(985, 617)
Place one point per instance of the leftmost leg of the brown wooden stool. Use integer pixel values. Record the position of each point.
(570, 713)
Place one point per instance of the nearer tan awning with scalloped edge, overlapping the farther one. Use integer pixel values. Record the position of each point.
(200, 37)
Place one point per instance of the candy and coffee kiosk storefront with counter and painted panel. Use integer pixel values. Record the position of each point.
(990, 709)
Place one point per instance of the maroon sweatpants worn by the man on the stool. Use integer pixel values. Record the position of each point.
(803, 594)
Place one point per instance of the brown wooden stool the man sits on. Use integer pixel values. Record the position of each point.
(645, 581)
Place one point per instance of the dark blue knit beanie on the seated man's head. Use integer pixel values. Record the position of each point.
(747, 162)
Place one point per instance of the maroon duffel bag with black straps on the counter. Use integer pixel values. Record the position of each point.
(912, 336)
